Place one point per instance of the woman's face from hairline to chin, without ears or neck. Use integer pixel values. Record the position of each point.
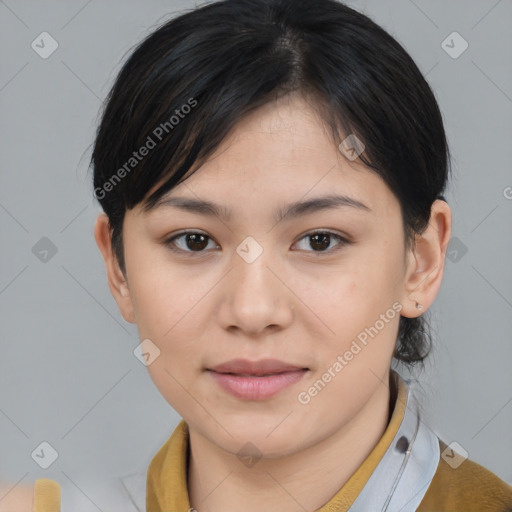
(320, 288)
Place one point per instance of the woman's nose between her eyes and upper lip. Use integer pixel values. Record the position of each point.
(255, 299)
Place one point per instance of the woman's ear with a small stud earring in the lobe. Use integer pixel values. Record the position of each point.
(426, 261)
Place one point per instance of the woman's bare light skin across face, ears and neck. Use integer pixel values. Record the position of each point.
(295, 302)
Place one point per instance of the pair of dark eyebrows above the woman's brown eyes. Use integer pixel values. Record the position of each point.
(293, 210)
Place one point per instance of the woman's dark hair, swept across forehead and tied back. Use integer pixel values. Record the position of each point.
(190, 81)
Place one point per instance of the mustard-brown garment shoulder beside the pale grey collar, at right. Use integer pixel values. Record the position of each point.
(465, 485)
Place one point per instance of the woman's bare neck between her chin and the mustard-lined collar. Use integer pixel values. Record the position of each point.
(304, 480)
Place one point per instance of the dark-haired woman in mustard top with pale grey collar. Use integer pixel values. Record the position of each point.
(271, 173)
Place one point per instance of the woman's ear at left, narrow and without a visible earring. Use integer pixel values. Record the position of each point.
(117, 281)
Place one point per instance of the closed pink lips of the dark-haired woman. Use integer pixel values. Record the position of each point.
(256, 380)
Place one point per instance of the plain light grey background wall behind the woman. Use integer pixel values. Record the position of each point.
(68, 374)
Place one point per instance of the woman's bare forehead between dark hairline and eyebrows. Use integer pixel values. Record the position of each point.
(279, 154)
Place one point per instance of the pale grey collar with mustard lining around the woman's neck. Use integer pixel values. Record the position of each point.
(395, 475)
